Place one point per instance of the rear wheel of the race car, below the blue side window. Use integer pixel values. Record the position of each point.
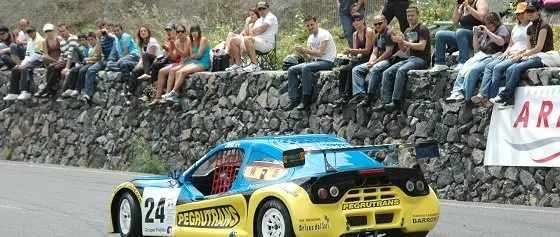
(274, 216)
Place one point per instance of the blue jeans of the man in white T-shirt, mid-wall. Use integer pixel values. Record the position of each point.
(304, 70)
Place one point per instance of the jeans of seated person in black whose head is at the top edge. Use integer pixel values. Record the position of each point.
(462, 39)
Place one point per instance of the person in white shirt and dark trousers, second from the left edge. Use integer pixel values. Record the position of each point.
(22, 74)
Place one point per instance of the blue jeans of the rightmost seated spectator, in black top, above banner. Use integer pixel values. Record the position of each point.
(513, 74)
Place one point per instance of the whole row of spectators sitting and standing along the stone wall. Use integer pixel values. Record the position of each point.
(380, 56)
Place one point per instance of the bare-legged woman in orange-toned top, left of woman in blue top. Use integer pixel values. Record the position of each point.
(182, 47)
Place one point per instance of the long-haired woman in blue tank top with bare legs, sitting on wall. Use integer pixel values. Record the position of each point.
(200, 55)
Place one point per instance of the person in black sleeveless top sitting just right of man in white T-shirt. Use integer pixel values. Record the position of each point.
(364, 38)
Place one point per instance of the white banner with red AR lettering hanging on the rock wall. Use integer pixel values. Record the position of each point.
(528, 134)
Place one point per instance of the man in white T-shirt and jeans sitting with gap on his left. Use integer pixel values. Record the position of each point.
(319, 54)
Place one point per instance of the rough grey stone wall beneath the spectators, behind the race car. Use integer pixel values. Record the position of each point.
(218, 107)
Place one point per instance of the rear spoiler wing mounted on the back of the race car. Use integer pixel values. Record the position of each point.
(422, 149)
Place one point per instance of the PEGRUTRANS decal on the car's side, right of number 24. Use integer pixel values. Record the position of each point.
(225, 216)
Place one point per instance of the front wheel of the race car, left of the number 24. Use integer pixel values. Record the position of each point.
(129, 218)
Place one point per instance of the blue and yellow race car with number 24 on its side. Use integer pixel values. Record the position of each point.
(282, 186)
